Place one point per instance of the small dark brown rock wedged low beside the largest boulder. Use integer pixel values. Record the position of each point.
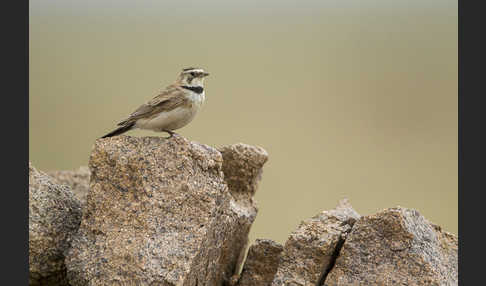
(261, 263)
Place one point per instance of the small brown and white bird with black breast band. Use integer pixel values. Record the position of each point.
(172, 109)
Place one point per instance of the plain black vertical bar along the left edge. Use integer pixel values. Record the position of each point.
(15, 118)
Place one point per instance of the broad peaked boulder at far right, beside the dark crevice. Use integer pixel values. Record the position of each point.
(396, 246)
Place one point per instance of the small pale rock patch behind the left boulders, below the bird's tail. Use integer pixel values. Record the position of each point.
(78, 180)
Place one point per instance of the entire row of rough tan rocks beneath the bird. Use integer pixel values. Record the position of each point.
(156, 211)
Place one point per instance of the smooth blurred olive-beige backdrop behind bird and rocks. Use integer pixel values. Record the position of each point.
(351, 99)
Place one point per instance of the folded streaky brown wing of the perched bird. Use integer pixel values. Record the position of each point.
(169, 99)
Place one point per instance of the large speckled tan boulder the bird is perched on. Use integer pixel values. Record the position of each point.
(159, 212)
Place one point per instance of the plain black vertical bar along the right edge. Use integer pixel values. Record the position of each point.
(471, 143)
